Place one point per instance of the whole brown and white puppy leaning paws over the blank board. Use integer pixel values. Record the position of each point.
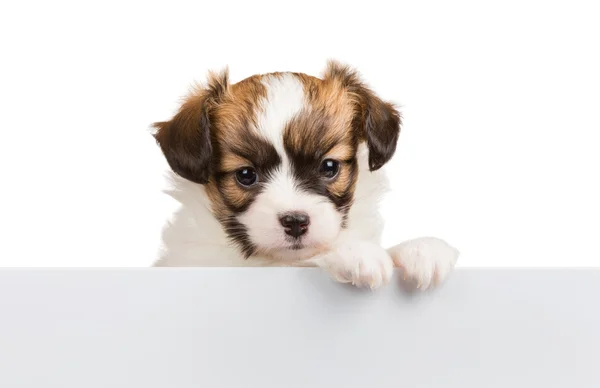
(285, 169)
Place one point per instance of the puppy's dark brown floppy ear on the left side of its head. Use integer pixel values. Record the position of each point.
(185, 140)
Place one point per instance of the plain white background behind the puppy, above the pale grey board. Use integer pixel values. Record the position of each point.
(499, 153)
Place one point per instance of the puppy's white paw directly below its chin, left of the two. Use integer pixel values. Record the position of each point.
(360, 263)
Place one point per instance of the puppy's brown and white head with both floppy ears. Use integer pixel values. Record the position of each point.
(277, 154)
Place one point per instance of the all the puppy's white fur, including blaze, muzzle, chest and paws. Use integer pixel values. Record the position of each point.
(353, 255)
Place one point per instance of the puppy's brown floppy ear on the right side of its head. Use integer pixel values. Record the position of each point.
(377, 122)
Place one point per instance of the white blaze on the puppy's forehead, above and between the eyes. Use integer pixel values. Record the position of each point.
(285, 99)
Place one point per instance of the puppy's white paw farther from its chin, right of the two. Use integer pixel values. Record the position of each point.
(427, 261)
